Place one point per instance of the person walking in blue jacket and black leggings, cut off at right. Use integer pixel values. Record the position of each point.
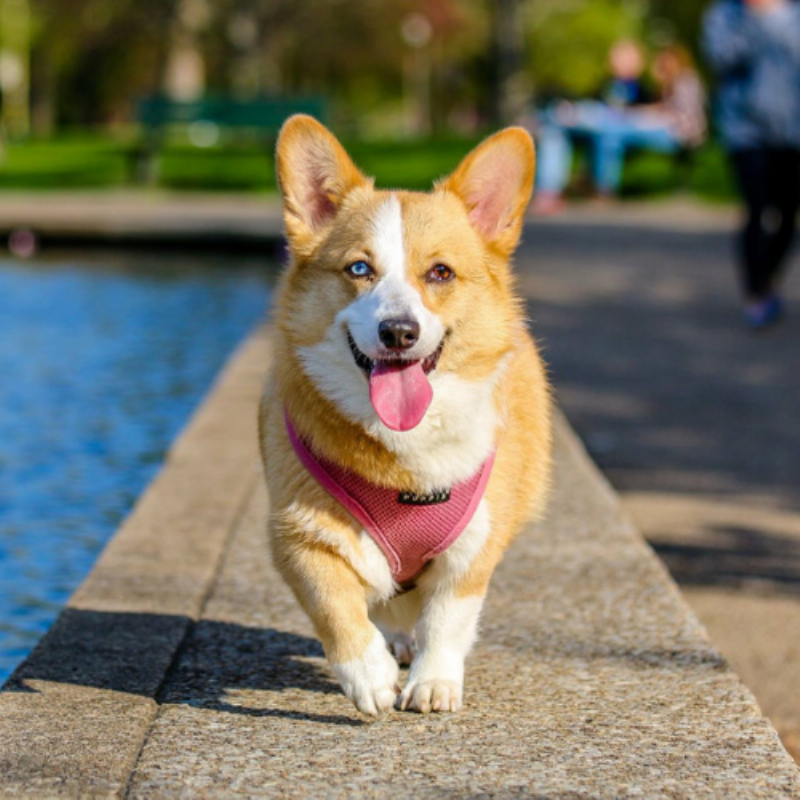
(754, 46)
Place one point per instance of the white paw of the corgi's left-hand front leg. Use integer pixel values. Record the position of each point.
(370, 681)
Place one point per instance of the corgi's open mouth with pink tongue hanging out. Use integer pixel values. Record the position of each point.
(399, 389)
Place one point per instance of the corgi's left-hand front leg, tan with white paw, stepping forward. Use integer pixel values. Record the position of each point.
(336, 601)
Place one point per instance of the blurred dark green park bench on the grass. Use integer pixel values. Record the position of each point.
(207, 117)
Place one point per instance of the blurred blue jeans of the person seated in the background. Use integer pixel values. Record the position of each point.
(610, 134)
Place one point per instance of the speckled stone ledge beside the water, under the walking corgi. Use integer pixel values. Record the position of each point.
(184, 668)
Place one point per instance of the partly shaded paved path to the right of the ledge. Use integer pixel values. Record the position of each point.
(693, 418)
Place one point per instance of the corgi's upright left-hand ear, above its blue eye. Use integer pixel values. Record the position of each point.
(314, 174)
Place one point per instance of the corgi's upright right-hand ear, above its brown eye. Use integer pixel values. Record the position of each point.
(495, 182)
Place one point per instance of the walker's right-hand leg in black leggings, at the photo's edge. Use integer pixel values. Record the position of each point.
(784, 200)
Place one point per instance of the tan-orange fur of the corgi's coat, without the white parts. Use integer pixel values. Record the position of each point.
(328, 206)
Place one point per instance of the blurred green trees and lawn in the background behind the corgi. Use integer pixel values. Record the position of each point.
(411, 84)
